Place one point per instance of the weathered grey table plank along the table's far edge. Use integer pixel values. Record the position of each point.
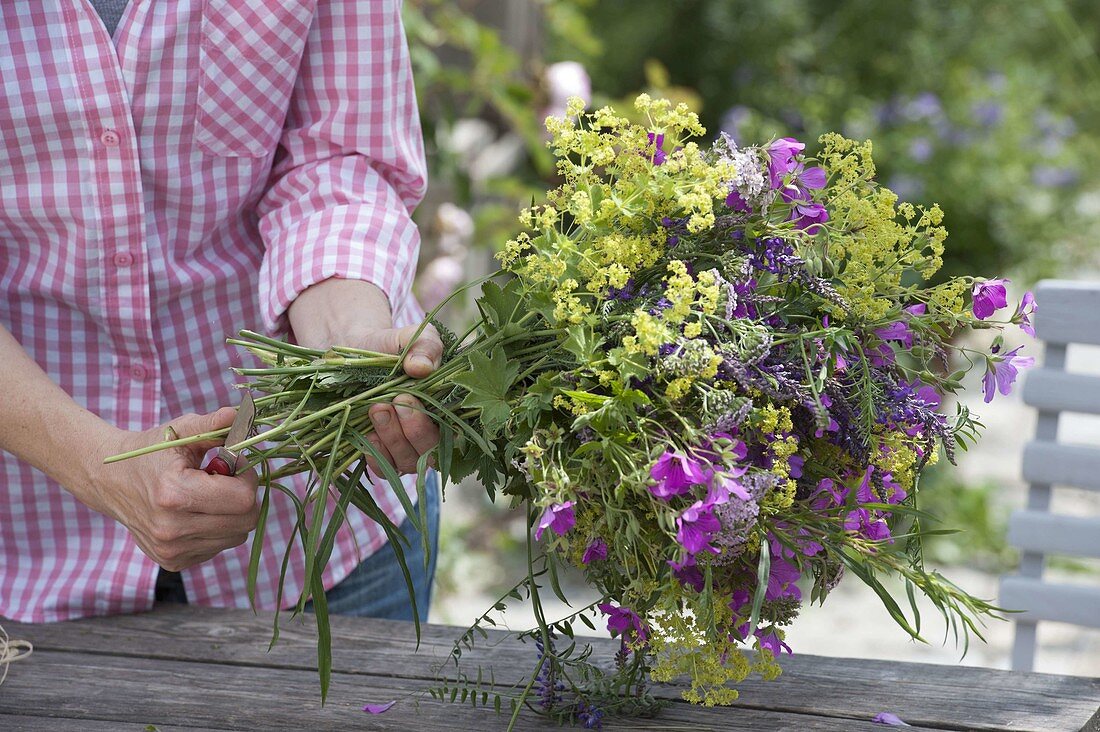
(969, 698)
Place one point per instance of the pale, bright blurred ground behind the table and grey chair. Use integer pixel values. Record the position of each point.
(853, 622)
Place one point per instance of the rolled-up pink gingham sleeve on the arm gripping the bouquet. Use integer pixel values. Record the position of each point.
(350, 169)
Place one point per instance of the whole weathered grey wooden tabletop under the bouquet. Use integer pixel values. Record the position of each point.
(192, 669)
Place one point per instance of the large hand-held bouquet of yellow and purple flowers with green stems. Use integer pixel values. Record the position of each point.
(706, 374)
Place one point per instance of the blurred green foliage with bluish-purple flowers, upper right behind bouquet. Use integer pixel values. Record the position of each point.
(987, 107)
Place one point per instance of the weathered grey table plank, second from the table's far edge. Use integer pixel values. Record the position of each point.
(153, 692)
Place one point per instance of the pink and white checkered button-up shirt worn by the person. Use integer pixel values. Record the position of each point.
(161, 191)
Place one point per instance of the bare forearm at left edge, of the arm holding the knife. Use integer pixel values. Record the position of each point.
(42, 425)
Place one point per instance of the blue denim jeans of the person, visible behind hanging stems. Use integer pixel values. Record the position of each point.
(377, 588)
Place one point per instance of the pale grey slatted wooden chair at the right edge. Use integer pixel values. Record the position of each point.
(1069, 313)
